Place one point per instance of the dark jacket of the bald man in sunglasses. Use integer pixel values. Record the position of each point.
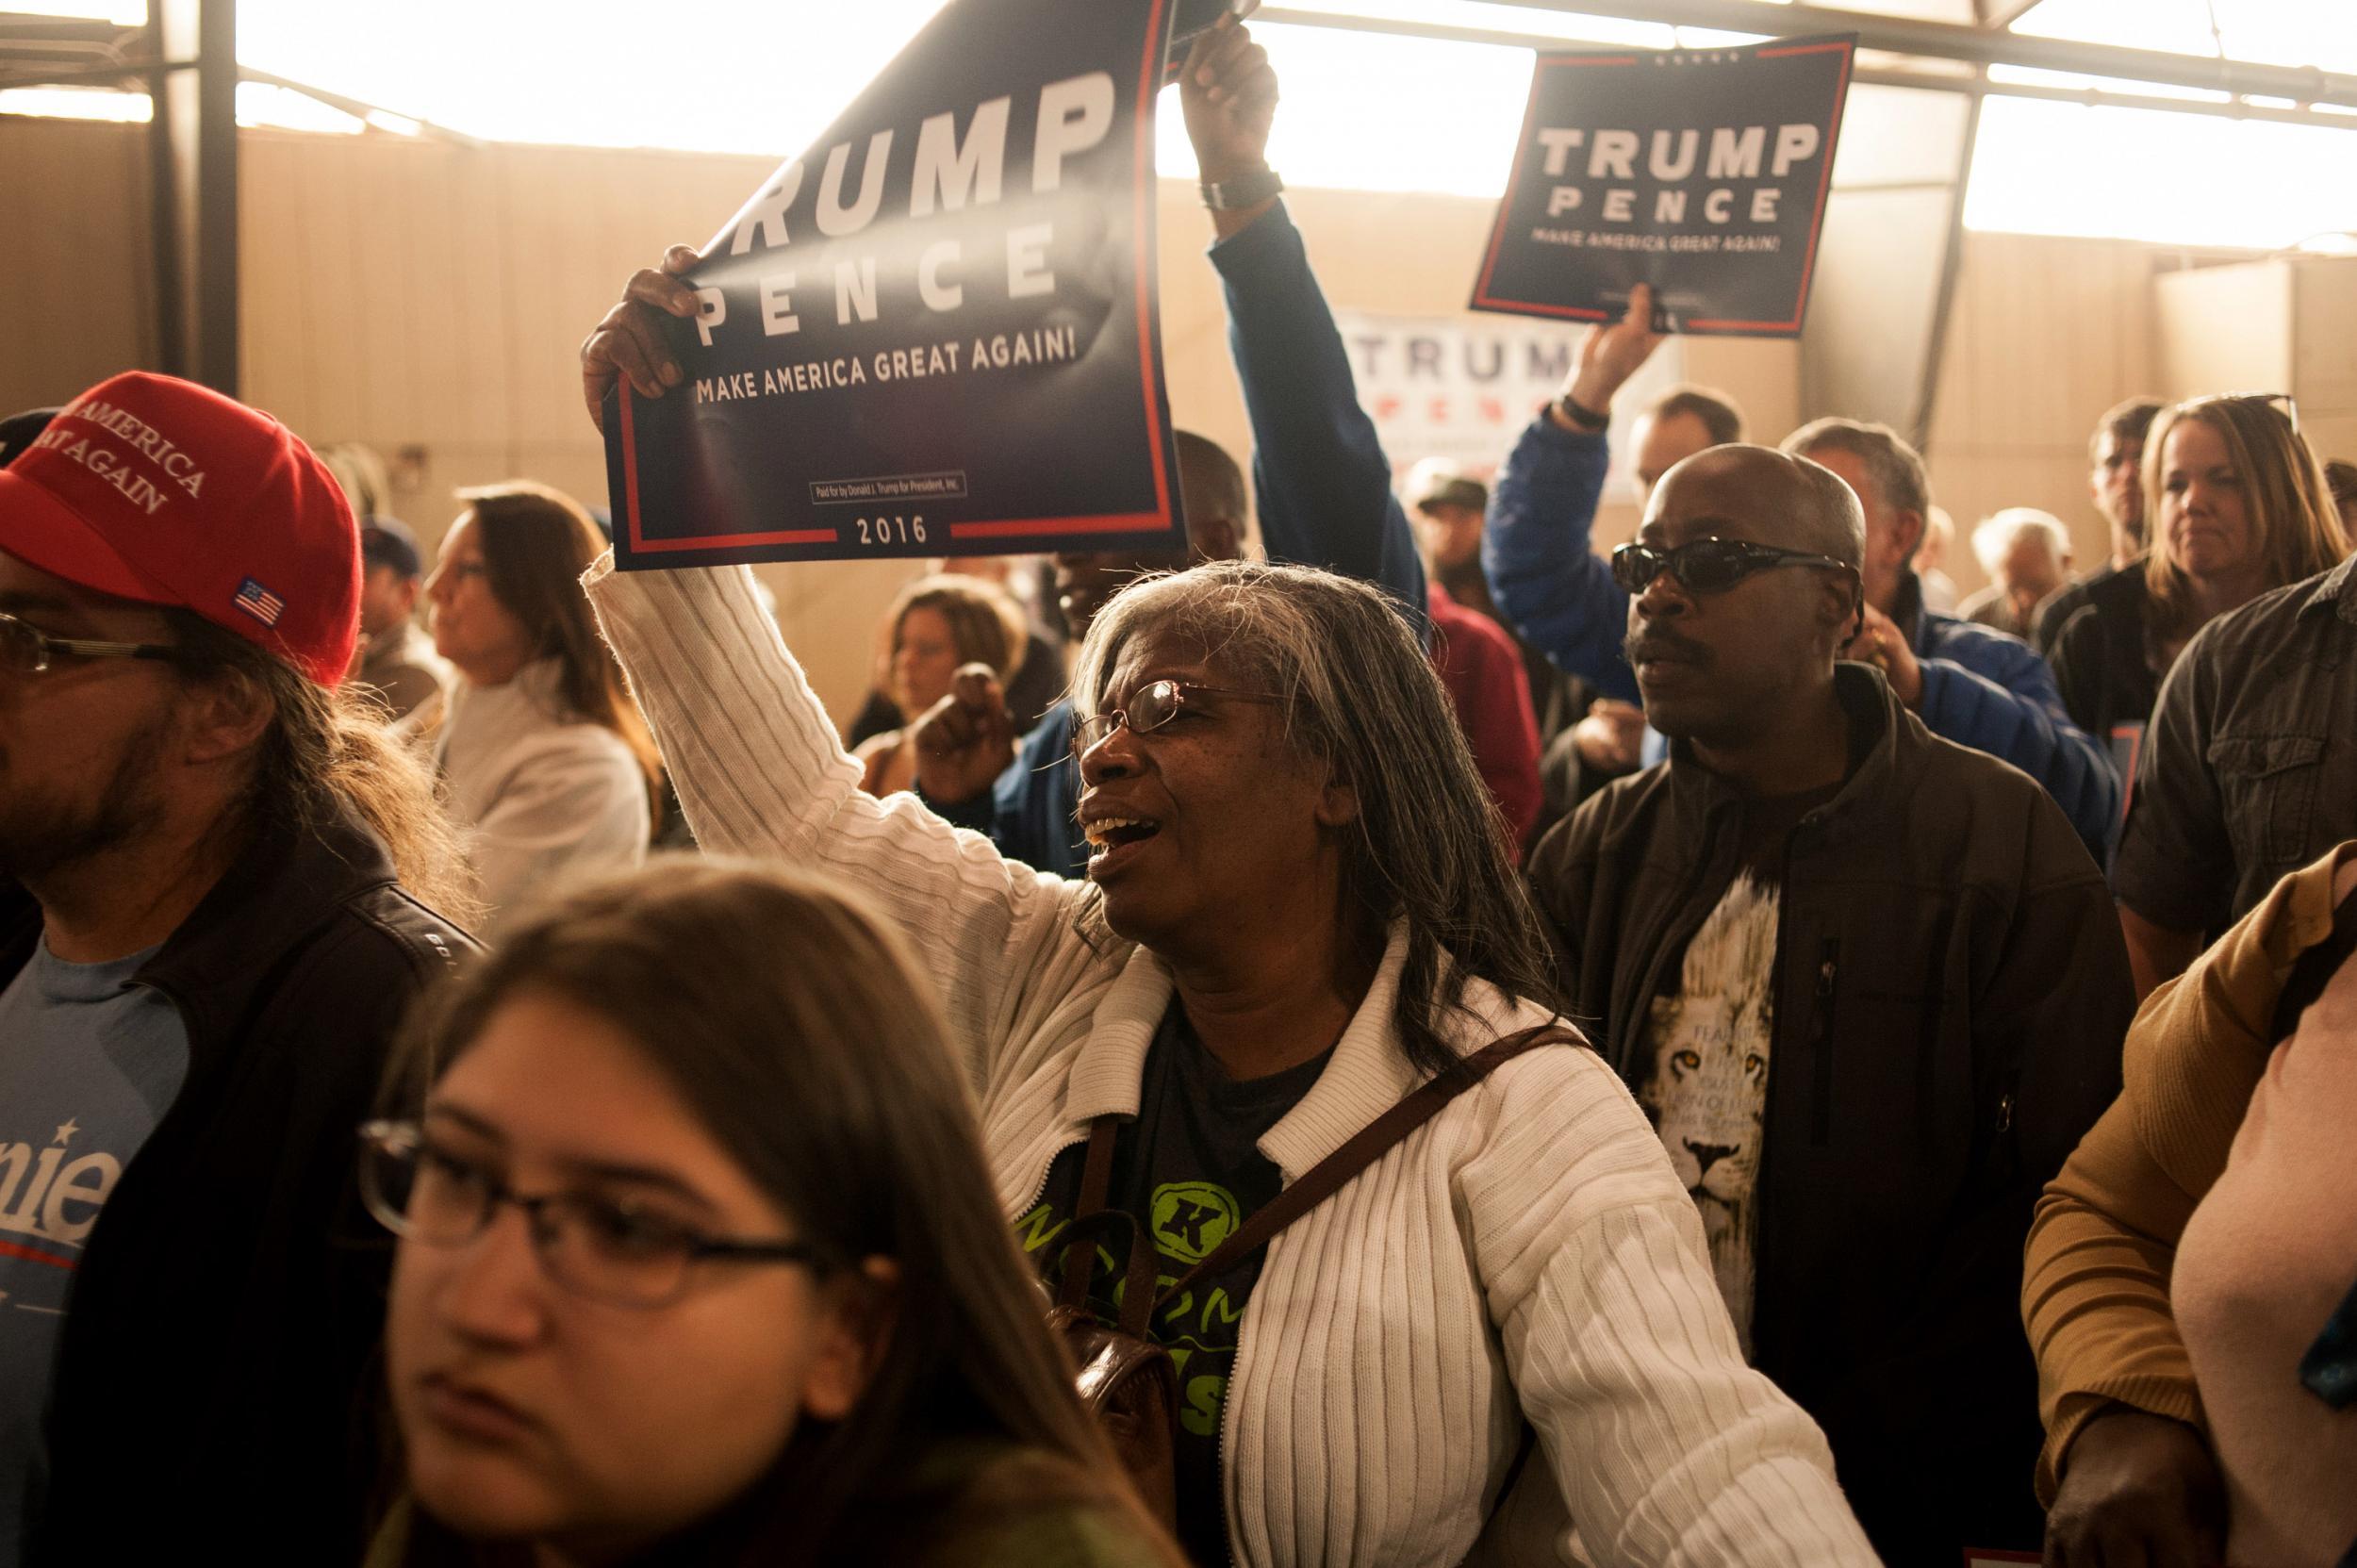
(1950, 1003)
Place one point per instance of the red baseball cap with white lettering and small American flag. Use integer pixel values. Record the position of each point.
(164, 492)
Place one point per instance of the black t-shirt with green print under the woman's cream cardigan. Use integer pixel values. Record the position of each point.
(1191, 1171)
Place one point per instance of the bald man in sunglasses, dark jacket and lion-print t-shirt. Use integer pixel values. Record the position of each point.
(1866, 984)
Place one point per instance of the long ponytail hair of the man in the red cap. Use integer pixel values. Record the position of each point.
(329, 753)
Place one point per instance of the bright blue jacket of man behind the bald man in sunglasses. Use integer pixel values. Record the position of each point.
(1981, 687)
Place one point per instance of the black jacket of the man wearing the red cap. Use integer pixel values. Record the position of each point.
(227, 1310)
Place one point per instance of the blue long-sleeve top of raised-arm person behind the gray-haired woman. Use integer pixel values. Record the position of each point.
(1321, 485)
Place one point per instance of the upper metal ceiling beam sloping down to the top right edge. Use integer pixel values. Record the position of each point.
(1976, 46)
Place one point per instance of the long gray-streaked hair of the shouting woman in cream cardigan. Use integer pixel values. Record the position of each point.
(1364, 699)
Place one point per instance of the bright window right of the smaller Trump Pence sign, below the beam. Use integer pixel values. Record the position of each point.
(2155, 176)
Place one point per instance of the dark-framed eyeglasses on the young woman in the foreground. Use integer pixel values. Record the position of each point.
(605, 1249)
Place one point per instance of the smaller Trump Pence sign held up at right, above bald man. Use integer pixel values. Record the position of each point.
(1696, 171)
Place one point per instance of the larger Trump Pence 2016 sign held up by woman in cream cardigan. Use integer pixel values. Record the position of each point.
(935, 334)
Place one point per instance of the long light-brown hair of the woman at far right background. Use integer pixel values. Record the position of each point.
(2283, 492)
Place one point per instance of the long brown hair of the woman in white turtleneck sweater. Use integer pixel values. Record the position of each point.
(536, 548)
